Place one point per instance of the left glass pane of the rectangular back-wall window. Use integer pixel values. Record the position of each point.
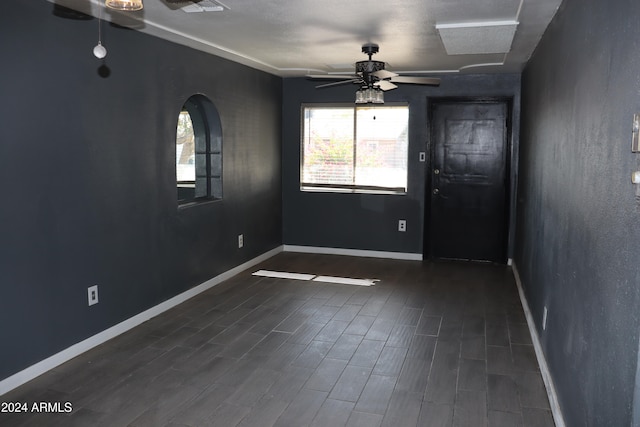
(328, 146)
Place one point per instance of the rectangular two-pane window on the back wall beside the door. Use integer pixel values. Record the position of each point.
(360, 149)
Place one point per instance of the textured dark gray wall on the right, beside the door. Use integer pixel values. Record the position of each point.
(578, 235)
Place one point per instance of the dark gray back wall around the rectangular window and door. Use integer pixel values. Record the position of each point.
(367, 221)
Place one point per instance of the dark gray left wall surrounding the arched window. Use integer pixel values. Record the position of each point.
(87, 167)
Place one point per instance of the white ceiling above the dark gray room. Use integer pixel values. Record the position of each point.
(298, 37)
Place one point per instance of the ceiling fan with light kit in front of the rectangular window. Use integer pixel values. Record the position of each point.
(373, 79)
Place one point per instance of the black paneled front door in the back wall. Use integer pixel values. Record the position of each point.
(469, 181)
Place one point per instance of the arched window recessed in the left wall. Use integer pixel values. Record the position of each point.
(198, 151)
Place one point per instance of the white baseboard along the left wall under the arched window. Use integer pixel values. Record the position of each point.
(57, 359)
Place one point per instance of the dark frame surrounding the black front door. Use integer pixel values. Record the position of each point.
(427, 247)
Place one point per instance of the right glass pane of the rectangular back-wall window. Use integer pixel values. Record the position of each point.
(382, 146)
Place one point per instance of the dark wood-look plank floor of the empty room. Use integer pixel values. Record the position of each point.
(432, 344)
